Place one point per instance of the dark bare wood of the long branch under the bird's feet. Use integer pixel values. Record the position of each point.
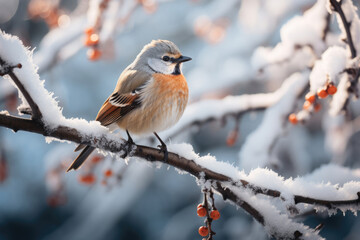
(154, 155)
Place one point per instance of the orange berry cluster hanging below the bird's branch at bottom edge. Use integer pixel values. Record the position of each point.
(210, 212)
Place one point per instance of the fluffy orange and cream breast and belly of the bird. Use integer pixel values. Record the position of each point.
(163, 102)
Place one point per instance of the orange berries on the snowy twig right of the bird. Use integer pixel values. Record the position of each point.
(311, 103)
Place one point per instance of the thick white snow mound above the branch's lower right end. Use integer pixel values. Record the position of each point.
(330, 182)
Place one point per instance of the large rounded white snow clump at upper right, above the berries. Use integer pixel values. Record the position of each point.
(302, 39)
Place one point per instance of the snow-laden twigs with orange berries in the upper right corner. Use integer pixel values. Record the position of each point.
(304, 44)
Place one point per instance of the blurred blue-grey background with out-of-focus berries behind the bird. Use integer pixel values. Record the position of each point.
(81, 47)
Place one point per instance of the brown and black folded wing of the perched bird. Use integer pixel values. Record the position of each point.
(124, 99)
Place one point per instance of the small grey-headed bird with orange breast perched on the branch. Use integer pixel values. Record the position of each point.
(150, 96)
